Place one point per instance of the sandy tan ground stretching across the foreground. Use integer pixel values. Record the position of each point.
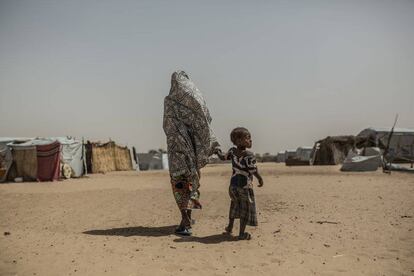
(312, 221)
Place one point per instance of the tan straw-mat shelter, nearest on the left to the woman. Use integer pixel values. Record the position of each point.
(107, 157)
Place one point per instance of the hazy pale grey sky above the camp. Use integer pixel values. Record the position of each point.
(290, 71)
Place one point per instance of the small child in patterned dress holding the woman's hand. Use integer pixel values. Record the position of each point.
(243, 205)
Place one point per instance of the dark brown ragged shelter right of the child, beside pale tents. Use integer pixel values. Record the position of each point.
(333, 149)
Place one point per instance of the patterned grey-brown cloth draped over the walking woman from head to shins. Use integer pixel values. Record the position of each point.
(190, 139)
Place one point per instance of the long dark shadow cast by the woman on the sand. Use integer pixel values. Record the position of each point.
(135, 231)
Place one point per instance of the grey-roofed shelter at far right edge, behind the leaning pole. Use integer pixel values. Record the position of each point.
(401, 148)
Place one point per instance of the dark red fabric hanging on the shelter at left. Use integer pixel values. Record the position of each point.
(48, 162)
